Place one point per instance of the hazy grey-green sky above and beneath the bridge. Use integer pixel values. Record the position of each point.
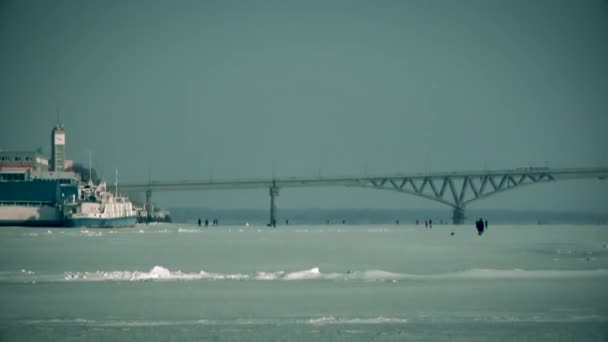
(249, 89)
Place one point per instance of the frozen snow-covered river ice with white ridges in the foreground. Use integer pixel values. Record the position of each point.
(176, 282)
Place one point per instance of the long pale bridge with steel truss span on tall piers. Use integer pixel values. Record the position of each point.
(454, 189)
